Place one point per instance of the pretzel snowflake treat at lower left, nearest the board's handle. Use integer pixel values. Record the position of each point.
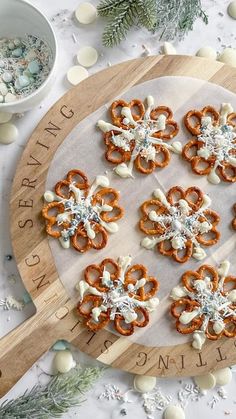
(117, 292)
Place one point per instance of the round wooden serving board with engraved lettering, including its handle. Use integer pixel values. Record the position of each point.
(55, 318)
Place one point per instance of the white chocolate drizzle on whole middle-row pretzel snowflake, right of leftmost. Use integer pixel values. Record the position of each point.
(180, 224)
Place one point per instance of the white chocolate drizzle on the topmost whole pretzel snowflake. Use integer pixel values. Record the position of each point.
(139, 133)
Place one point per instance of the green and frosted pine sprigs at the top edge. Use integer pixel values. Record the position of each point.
(171, 18)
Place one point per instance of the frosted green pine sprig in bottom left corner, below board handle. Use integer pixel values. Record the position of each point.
(51, 401)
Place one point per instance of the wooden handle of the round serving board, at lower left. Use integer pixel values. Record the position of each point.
(22, 347)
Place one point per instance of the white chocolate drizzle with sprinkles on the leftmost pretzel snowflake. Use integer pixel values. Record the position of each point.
(79, 211)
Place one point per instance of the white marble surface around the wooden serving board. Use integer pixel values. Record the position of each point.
(219, 33)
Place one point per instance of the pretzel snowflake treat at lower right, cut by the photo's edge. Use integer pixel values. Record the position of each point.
(205, 304)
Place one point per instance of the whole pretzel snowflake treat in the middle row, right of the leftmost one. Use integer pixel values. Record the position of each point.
(180, 223)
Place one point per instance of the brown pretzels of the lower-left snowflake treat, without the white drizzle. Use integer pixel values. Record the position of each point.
(93, 275)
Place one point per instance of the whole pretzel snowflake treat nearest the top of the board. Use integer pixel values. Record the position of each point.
(137, 136)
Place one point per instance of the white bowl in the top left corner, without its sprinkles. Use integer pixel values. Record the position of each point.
(18, 18)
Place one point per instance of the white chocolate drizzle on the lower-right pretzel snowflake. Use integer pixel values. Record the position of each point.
(214, 306)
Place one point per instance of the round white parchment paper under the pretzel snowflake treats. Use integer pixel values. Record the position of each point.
(84, 149)
